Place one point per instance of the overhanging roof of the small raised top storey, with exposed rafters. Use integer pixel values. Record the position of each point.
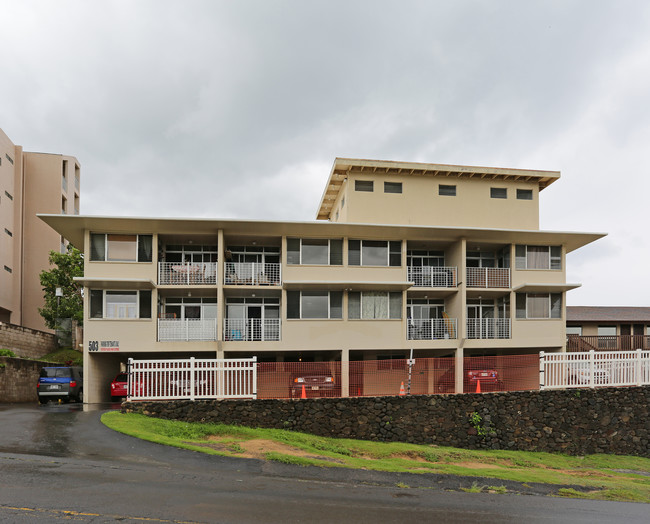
(343, 166)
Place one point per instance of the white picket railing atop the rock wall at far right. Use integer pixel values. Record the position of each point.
(594, 369)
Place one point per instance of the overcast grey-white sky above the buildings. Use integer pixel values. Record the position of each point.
(237, 109)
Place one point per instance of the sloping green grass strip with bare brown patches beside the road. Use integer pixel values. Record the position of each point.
(605, 477)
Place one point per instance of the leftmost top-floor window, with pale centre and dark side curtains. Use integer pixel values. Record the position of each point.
(121, 248)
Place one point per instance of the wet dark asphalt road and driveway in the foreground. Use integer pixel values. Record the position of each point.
(59, 463)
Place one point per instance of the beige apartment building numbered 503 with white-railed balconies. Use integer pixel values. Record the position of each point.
(444, 260)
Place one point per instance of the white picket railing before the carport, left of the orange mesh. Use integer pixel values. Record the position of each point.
(192, 379)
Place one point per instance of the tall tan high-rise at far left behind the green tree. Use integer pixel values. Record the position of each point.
(30, 183)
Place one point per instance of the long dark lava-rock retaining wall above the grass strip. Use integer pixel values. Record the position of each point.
(606, 420)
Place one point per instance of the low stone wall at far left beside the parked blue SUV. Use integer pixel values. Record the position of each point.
(18, 379)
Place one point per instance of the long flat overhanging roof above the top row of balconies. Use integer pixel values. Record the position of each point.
(72, 227)
